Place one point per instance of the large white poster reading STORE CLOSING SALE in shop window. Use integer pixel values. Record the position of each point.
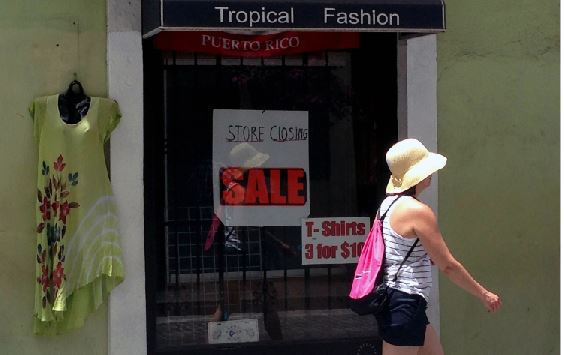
(261, 167)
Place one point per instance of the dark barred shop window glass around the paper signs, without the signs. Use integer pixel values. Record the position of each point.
(254, 274)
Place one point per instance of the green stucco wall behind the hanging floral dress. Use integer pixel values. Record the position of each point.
(42, 43)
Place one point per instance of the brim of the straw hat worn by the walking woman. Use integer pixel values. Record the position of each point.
(417, 173)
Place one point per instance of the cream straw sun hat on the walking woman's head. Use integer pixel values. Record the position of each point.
(410, 163)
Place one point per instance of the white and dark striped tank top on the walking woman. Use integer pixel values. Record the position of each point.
(415, 275)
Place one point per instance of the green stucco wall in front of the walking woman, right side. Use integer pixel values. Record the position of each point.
(499, 124)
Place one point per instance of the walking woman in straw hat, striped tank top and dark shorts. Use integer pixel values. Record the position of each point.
(412, 225)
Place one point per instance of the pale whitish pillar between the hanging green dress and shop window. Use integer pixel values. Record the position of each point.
(127, 322)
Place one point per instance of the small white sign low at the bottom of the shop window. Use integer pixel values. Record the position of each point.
(233, 331)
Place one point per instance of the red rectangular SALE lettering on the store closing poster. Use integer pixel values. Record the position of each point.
(262, 187)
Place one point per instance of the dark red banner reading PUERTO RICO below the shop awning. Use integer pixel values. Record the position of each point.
(268, 45)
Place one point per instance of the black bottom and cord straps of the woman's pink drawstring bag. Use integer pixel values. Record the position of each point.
(378, 300)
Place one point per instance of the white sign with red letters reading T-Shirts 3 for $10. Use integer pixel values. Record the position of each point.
(333, 240)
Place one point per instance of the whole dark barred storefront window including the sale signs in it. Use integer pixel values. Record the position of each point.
(247, 156)
